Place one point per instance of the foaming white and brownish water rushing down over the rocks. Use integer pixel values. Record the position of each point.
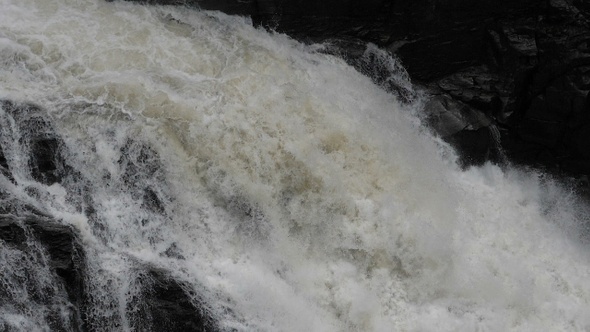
(293, 193)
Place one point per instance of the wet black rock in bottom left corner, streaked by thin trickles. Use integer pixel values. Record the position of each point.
(46, 248)
